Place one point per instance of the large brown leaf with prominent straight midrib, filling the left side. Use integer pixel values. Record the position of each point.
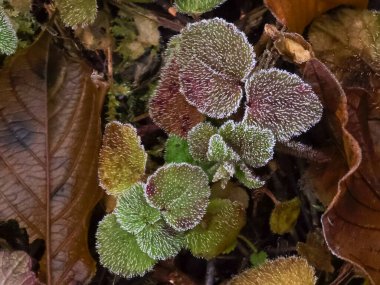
(49, 139)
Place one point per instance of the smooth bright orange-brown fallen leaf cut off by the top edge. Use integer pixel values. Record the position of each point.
(297, 14)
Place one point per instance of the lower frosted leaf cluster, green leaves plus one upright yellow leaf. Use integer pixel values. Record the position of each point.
(155, 220)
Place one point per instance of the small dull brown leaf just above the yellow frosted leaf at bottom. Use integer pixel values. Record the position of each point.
(316, 251)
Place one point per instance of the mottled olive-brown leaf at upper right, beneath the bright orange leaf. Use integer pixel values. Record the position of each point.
(347, 41)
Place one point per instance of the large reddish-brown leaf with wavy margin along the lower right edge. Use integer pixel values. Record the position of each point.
(351, 223)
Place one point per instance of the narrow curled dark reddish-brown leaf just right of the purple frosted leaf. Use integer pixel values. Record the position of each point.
(345, 151)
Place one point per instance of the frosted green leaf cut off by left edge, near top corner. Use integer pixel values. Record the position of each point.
(8, 38)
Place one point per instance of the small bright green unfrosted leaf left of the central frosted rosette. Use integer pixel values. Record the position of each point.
(177, 150)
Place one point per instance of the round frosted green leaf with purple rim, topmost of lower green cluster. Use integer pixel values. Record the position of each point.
(180, 191)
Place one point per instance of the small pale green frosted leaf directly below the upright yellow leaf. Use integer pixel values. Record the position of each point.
(133, 213)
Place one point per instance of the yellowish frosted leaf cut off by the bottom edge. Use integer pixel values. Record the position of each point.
(291, 270)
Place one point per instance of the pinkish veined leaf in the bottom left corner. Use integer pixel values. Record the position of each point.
(16, 268)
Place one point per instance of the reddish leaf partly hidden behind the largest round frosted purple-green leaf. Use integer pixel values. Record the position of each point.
(168, 108)
